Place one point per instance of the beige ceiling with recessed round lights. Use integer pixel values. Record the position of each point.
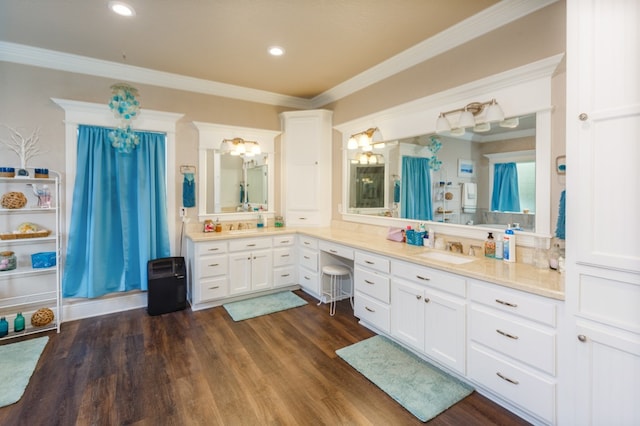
(327, 42)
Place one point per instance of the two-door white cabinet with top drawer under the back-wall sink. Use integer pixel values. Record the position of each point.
(250, 265)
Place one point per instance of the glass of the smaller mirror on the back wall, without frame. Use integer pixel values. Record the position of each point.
(236, 183)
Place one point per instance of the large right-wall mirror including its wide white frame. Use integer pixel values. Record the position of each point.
(457, 197)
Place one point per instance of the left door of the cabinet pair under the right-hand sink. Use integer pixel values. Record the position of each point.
(407, 313)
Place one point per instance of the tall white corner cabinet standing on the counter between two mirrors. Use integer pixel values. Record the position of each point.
(306, 141)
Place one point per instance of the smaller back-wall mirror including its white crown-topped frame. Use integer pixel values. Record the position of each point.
(234, 186)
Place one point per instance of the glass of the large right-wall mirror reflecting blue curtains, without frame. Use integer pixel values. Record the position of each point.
(482, 178)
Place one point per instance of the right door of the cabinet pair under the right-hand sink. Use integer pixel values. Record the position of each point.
(445, 335)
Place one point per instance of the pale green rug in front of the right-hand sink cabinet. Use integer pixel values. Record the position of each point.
(419, 387)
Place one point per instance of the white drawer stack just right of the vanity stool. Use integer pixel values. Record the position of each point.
(372, 294)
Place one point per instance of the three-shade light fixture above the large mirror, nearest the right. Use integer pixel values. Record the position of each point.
(468, 116)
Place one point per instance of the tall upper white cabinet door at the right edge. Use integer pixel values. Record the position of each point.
(603, 110)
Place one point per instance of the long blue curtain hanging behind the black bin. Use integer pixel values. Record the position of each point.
(118, 216)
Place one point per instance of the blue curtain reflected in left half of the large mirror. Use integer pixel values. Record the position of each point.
(415, 198)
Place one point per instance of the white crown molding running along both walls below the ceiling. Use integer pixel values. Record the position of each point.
(488, 20)
